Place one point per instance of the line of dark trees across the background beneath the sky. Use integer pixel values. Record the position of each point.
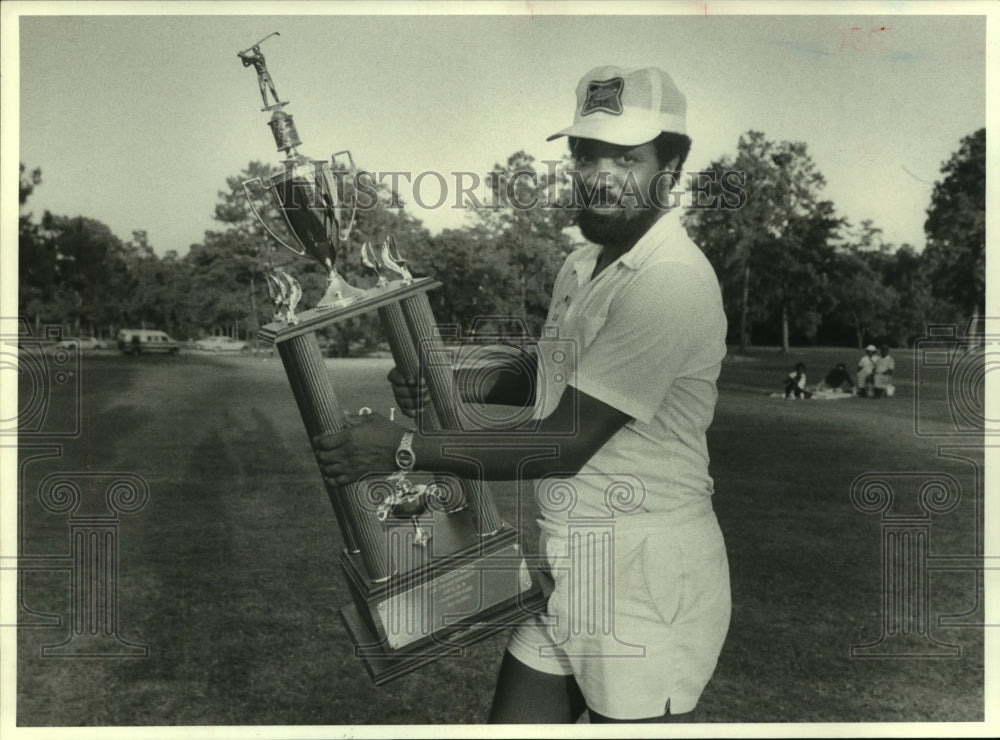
(792, 270)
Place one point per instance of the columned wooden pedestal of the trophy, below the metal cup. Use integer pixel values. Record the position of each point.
(425, 586)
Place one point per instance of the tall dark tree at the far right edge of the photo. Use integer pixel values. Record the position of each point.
(955, 255)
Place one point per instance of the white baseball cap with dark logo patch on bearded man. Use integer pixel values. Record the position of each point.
(626, 106)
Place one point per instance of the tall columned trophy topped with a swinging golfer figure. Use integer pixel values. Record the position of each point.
(431, 566)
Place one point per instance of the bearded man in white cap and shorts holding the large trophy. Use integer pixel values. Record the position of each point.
(644, 309)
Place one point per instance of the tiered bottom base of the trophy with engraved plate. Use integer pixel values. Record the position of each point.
(442, 606)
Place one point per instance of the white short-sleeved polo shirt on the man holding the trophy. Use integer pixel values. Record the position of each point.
(649, 333)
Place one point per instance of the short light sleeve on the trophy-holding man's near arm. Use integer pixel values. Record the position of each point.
(665, 323)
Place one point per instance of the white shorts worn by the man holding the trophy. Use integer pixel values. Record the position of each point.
(638, 613)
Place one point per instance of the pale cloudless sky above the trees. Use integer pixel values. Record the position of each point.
(137, 120)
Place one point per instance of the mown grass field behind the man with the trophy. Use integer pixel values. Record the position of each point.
(229, 573)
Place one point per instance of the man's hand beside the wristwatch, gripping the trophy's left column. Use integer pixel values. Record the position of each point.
(366, 445)
